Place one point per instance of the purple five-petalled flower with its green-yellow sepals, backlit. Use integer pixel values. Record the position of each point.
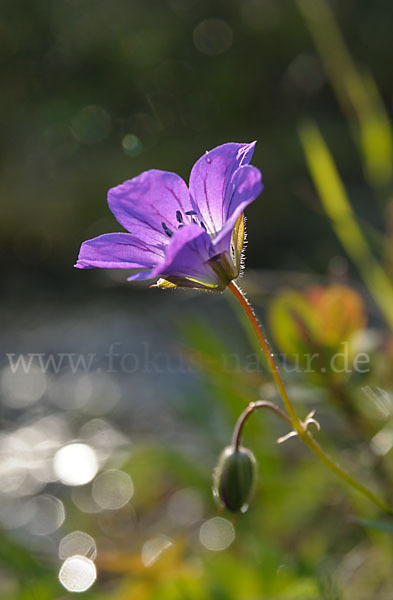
(185, 236)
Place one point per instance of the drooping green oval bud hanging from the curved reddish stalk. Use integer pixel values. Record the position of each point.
(234, 478)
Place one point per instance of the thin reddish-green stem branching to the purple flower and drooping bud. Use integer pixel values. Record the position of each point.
(297, 424)
